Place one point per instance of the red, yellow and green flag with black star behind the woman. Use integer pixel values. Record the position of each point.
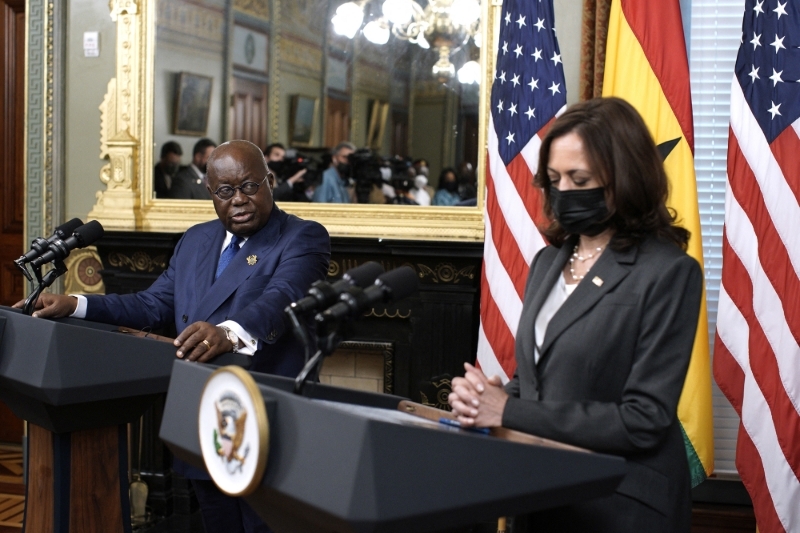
(646, 64)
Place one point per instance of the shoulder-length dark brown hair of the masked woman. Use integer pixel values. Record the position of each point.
(620, 149)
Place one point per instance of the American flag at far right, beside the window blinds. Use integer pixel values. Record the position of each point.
(757, 347)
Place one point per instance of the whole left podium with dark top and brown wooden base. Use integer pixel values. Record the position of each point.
(78, 383)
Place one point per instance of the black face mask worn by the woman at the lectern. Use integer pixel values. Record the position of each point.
(580, 212)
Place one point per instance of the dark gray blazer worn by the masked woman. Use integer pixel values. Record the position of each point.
(613, 363)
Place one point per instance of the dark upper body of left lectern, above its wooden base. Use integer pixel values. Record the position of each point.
(70, 374)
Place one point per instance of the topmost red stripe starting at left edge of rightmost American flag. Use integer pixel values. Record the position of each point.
(771, 251)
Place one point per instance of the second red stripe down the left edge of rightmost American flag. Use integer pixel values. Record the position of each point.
(763, 362)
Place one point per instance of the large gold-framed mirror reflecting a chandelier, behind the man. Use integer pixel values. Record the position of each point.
(256, 69)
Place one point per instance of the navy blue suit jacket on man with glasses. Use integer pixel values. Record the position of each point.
(290, 255)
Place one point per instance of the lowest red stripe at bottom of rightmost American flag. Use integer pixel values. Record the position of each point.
(751, 469)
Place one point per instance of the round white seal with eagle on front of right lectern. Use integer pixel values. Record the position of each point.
(234, 431)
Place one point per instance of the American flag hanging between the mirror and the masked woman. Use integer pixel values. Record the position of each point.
(528, 92)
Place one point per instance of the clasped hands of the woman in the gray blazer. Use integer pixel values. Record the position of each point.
(478, 401)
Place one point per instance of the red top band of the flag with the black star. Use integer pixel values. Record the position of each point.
(658, 28)
